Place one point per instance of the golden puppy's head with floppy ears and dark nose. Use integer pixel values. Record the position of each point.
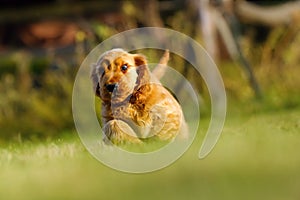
(117, 69)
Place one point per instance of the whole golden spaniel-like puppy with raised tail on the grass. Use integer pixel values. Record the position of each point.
(135, 105)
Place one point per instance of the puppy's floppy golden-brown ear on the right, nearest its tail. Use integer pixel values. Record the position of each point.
(142, 70)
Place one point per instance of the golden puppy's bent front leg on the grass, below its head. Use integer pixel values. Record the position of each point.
(118, 132)
